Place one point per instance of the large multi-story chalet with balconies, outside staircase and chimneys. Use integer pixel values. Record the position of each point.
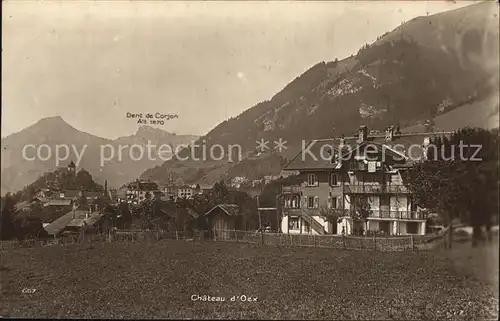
(338, 174)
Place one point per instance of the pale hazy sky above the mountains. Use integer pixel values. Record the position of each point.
(91, 62)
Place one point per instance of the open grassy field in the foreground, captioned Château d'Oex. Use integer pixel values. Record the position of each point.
(140, 280)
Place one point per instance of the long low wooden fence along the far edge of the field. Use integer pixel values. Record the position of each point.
(369, 243)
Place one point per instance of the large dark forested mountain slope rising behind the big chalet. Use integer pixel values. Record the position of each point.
(411, 74)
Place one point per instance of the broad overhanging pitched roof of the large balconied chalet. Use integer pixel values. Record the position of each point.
(317, 153)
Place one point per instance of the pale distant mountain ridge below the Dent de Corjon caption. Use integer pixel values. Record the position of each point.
(17, 172)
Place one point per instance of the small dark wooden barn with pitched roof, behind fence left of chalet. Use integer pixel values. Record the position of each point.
(224, 218)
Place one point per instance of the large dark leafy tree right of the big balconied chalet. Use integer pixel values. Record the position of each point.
(458, 180)
